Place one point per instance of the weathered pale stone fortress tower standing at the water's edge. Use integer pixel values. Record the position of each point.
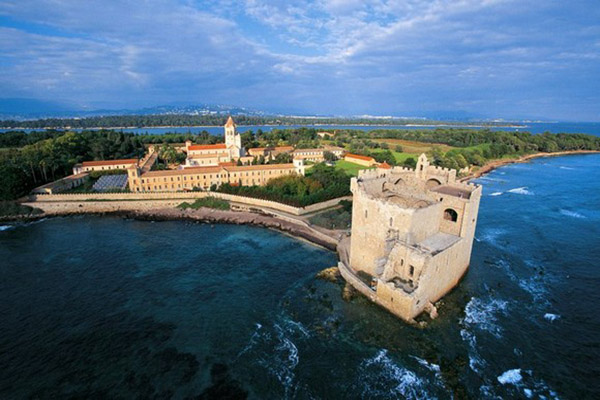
(412, 234)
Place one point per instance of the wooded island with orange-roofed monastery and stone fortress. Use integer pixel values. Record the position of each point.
(402, 223)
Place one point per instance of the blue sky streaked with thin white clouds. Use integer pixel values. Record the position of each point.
(487, 58)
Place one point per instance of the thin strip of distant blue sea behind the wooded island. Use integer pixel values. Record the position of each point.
(592, 128)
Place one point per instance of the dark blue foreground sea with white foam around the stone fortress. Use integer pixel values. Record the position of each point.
(107, 307)
